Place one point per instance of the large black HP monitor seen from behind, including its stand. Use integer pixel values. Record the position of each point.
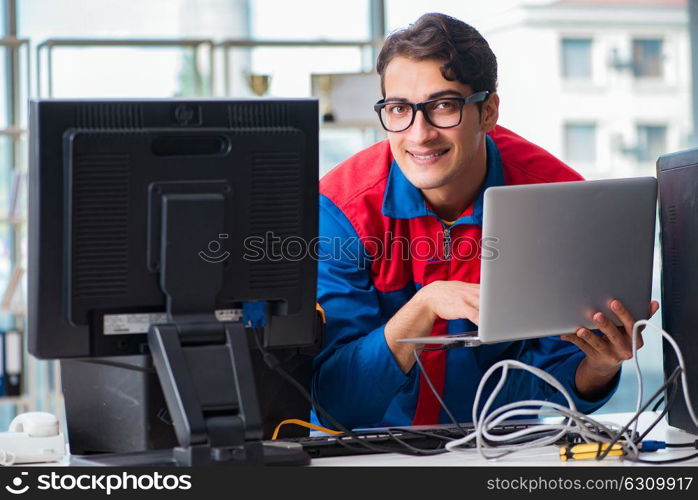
(132, 205)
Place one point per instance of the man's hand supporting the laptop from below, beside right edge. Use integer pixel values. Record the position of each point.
(607, 352)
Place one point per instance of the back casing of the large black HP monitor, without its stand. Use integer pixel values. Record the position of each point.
(99, 171)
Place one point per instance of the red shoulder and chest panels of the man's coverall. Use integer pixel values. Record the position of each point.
(357, 187)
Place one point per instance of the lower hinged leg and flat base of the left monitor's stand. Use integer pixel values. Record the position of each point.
(225, 429)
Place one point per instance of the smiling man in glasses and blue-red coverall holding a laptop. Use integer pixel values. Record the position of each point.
(425, 185)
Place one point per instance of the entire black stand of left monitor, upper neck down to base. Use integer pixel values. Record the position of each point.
(204, 365)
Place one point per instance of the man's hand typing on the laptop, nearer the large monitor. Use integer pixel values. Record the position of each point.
(440, 299)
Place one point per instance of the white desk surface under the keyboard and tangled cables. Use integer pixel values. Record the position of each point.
(546, 456)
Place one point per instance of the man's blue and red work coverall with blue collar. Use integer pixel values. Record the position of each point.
(366, 206)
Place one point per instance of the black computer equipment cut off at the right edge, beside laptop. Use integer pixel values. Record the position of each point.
(677, 174)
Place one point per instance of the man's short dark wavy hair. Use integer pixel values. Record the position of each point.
(466, 54)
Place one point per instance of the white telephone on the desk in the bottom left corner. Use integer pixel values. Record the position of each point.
(32, 437)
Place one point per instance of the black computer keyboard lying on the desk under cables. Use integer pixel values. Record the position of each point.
(422, 437)
